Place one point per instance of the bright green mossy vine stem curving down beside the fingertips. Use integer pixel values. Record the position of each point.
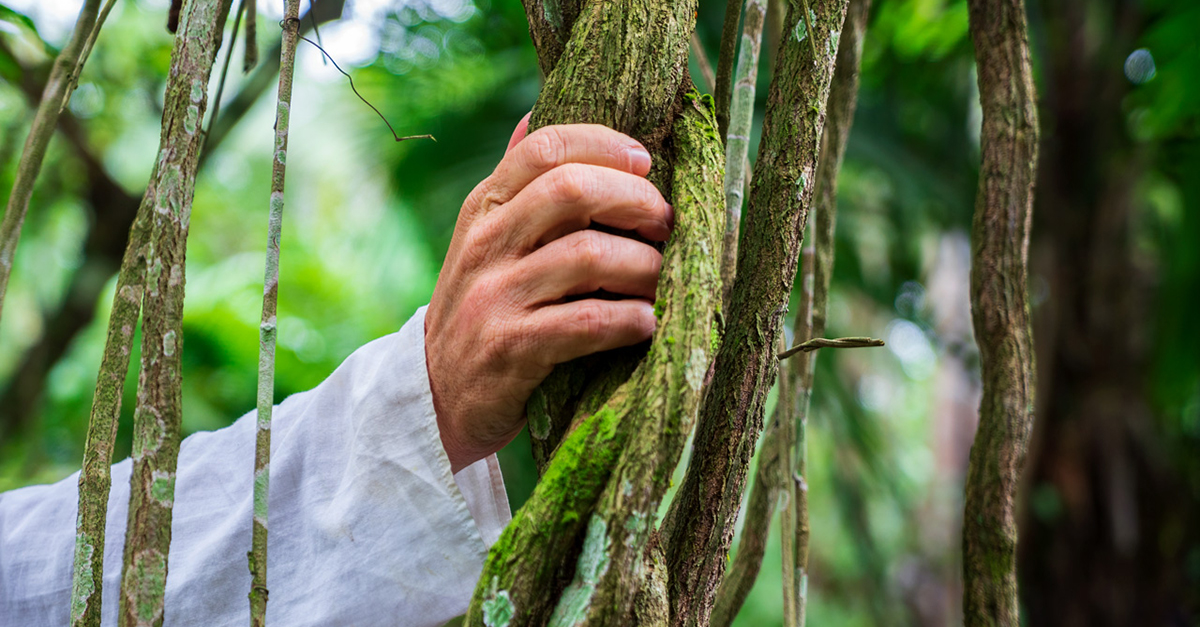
(610, 473)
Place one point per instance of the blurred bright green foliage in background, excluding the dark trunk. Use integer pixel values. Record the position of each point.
(370, 222)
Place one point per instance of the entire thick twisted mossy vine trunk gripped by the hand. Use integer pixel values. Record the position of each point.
(577, 552)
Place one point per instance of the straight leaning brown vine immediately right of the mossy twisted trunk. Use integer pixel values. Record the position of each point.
(700, 524)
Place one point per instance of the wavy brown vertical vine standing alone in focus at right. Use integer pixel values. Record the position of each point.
(1000, 310)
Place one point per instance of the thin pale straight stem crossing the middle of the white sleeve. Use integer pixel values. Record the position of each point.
(267, 329)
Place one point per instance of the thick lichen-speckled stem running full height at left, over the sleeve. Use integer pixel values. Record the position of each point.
(169, 205)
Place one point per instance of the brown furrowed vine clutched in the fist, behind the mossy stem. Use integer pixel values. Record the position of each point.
(640, 51)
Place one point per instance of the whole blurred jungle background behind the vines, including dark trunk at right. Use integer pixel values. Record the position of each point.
(1111, 505)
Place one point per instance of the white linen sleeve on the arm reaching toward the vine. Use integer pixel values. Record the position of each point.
(368, 526)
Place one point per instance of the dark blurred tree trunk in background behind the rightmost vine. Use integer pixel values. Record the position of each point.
(1107, 524)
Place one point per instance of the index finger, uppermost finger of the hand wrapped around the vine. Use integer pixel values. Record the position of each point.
(550, 147)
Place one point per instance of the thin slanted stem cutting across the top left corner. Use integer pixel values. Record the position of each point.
(62, 83)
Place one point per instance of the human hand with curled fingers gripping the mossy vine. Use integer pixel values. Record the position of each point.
(502, 317)
